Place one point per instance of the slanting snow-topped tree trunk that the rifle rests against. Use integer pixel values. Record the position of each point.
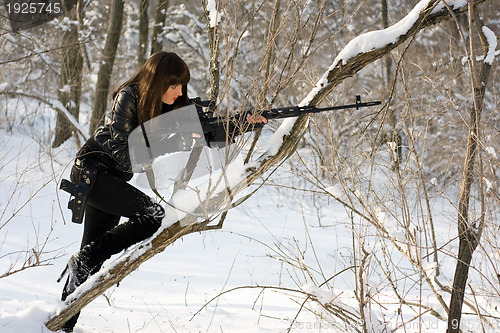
(360, 52)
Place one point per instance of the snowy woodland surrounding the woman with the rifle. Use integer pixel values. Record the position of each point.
(382, 219)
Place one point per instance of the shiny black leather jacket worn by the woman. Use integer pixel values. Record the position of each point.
(110, 142)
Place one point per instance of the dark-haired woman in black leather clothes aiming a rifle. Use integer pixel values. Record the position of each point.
(160, 85)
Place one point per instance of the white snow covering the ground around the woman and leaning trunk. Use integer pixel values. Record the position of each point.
(173, 291)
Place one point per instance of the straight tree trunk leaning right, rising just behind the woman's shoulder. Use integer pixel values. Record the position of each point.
(103, 78)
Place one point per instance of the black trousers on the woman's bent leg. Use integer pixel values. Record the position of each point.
(110, 198)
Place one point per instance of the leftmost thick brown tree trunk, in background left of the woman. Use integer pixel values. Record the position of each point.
(70, 81)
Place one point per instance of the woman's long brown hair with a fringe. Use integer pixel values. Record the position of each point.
(159, 72)
